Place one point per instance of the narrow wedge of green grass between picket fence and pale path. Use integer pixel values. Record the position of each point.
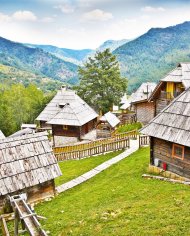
(74, 168)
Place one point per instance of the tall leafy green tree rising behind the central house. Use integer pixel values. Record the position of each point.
(101, 84)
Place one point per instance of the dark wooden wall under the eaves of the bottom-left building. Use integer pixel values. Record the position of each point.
(35, 194)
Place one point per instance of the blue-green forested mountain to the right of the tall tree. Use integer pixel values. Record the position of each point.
(150, 56)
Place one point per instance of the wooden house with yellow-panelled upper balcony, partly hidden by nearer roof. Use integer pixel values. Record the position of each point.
(173, 84)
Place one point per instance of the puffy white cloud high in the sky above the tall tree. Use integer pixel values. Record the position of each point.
(97, 15)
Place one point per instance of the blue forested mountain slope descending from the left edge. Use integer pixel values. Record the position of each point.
(36, 60)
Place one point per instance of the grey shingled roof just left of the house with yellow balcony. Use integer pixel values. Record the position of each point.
(143, 92)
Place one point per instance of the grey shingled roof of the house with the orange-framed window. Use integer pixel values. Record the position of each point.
(173, 123)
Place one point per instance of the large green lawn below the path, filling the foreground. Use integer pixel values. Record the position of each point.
(119, 201)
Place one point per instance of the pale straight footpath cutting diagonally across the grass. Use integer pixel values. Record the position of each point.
(134, 146)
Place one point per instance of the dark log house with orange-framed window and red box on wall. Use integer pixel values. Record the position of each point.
(169, 135)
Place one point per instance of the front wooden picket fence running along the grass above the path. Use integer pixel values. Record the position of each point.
(86, 152)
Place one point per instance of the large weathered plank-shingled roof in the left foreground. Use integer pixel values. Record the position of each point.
(26, 161)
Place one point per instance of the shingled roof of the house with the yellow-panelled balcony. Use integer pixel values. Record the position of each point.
(181, 74)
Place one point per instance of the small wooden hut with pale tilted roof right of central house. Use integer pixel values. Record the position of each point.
(106, 125)
